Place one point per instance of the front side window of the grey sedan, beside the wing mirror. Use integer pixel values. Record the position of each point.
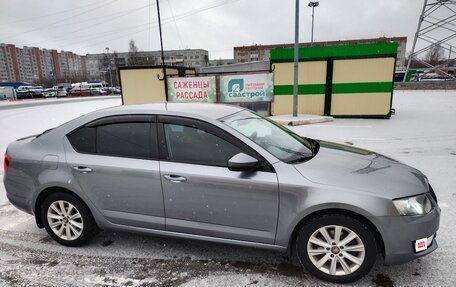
(193, 145)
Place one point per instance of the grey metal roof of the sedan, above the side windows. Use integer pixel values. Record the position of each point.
(214, 111)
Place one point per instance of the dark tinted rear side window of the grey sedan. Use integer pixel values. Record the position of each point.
(123, 139)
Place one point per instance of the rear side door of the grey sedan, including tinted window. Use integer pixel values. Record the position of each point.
(115, 162)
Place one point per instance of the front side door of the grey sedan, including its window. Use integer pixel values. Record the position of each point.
(202, 196)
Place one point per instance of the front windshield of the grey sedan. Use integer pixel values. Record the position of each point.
(276, 139)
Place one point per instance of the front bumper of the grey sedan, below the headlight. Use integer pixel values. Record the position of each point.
(401, 232)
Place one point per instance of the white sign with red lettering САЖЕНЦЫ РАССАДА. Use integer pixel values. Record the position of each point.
(192, 89)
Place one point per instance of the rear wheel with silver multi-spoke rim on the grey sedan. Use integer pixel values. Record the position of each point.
(67, 219)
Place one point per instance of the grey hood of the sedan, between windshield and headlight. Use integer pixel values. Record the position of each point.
(362, 170)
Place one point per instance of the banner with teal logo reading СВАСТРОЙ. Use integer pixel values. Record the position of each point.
(246, 88)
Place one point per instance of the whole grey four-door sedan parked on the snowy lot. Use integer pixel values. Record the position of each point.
(223, 174)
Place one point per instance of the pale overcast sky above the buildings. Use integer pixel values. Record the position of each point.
(89, 26)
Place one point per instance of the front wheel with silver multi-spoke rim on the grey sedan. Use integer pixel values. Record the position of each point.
(336, 247)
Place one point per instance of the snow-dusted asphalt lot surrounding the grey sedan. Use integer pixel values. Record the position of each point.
(421, 134)
